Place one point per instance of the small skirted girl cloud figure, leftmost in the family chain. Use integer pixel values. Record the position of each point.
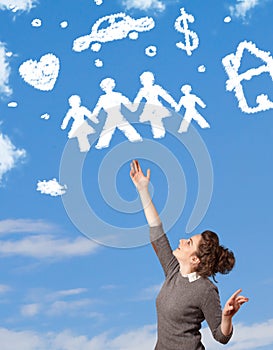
(80, 129)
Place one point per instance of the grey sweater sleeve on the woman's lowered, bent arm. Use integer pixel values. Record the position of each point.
(213, 314)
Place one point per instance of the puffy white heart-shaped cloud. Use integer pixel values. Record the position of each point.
(42, 75)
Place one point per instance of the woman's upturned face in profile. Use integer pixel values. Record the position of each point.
(187, 248)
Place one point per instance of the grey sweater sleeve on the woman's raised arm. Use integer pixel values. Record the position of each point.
(163, 249)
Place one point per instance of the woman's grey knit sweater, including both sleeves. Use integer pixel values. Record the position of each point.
(183, 305)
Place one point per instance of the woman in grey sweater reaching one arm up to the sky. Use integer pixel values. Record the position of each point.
(188, 297)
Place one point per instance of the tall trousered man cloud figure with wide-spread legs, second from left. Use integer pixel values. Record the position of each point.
(111, 103)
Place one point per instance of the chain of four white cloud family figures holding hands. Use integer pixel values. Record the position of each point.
(111, 102)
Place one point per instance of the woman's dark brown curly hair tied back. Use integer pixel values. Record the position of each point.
(213, 257)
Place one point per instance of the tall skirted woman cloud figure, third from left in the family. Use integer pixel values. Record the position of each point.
(153, 111)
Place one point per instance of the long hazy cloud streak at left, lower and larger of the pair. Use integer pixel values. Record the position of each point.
(47, 247)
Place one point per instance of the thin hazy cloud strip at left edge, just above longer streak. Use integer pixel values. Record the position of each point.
(26, 225)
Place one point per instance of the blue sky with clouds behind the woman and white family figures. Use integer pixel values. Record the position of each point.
(60, 289)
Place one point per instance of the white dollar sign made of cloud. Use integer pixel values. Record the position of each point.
(191, 38)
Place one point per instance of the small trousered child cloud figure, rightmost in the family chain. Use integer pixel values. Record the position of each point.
(189, 101)
